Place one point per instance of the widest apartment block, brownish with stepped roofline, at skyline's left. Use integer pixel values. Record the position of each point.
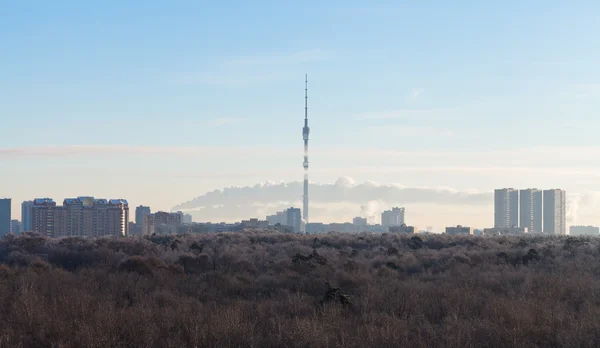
(82, 216)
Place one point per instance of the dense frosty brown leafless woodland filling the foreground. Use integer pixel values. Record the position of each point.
(261, 289)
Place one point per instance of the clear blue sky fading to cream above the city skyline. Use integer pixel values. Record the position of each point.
(162, 102)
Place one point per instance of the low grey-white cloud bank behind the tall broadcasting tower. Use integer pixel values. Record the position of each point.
(338, 201)
